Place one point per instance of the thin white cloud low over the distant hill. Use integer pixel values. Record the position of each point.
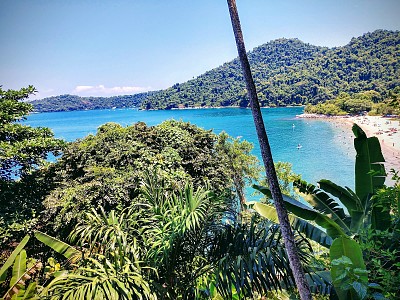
(101, 90)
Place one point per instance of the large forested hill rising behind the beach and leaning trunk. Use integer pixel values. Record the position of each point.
(288, 71)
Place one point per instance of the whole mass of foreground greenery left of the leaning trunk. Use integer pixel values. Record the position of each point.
(152, 212)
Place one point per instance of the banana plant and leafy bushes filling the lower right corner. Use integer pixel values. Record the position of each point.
(369, 218)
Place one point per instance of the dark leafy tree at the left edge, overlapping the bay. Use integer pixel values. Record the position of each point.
(23, 151)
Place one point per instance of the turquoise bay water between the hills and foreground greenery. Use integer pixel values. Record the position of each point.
(326, 151)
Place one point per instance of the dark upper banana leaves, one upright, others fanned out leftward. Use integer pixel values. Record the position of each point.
(369, 177)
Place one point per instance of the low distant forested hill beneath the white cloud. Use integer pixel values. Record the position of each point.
(73, 102)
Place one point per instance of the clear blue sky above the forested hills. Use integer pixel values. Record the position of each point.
(112, 47)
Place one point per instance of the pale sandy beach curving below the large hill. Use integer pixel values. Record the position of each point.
(387, 130)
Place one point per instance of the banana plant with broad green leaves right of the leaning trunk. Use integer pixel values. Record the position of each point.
(329, 201)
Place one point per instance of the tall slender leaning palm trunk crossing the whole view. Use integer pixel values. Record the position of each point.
(266, 154)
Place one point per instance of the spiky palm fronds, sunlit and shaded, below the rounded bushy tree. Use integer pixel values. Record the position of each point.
(174, 244)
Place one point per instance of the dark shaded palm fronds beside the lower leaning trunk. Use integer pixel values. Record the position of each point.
(253, 258)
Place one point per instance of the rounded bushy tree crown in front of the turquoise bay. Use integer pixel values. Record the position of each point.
(106, 169)
